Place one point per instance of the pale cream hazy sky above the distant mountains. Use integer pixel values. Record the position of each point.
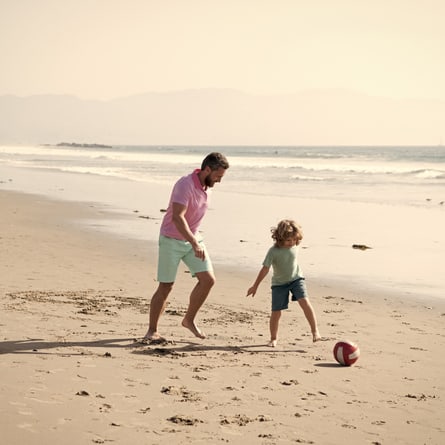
(102, 49)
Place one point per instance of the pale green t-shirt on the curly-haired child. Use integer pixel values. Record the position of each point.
(284, 262)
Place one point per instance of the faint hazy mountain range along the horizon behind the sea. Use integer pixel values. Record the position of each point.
(223, 117)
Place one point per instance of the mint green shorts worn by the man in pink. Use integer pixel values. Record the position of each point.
(172, 252)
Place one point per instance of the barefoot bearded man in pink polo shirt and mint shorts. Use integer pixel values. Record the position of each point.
(179, 240)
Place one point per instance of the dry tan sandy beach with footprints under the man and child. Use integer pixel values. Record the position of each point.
(74, 301)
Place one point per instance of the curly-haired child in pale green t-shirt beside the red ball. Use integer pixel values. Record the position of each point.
(287, 277)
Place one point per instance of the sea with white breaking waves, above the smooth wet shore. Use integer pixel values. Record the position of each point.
(343, 172)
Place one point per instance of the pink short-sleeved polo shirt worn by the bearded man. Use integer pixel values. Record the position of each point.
(189, 192)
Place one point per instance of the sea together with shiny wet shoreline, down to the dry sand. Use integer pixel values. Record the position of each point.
(389, 198)
